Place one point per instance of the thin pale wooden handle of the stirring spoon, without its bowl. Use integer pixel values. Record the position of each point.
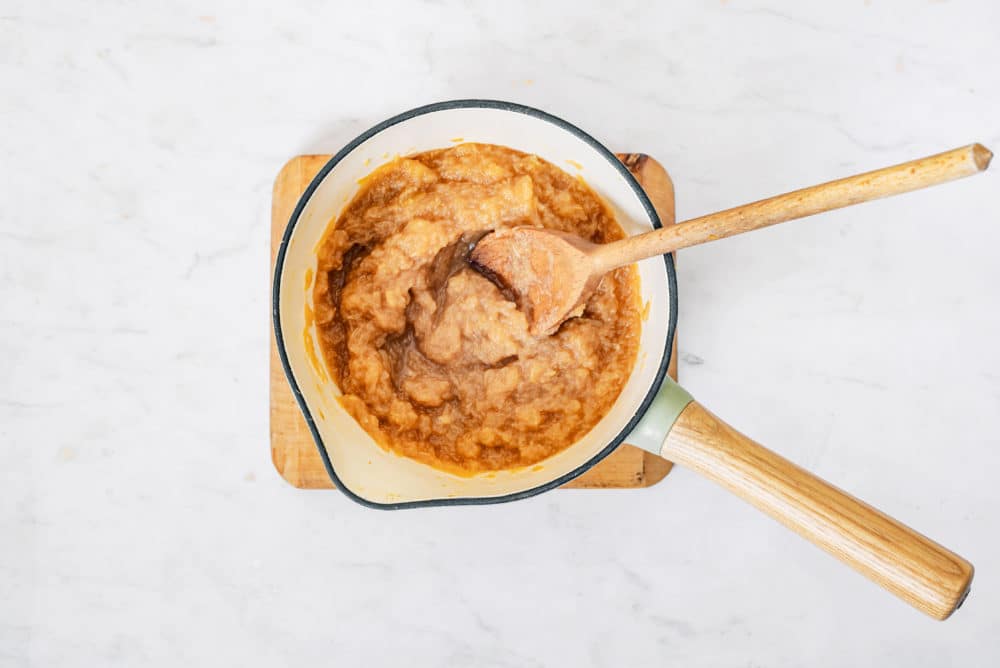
(894, 180)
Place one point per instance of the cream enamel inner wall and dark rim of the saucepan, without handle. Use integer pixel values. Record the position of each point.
(363, 468)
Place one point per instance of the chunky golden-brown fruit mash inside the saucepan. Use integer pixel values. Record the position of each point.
(433, 360)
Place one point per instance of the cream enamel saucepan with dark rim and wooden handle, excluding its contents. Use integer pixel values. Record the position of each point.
(652, 412)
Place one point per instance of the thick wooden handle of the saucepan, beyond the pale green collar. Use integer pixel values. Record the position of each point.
(911, 566)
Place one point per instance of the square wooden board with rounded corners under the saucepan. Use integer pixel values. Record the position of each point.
(293, 450)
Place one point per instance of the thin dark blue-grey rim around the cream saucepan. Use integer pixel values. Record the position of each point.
(280, 339)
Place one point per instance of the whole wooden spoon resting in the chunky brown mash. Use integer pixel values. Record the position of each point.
(552, 274)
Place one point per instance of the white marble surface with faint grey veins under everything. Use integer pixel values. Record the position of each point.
(141, 522)
